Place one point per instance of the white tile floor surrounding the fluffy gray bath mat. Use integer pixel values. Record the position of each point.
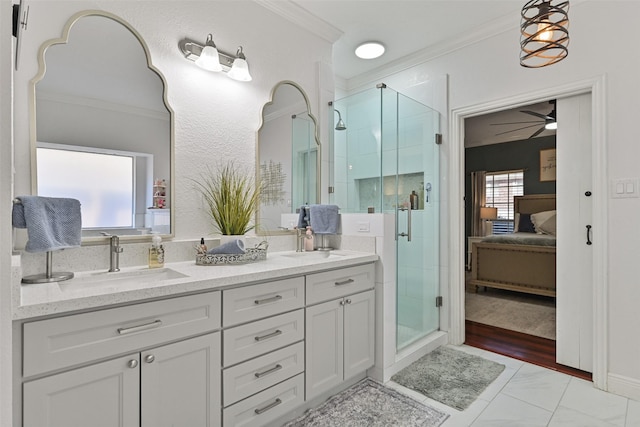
(528, 395)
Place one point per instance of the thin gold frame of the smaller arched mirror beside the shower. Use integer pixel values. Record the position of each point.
(259, 229)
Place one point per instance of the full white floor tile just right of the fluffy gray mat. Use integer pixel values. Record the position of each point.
(537, 386)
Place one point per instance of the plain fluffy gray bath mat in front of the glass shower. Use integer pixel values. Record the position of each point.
(449, 376)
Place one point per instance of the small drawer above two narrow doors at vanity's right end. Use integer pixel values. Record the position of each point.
(339, 283)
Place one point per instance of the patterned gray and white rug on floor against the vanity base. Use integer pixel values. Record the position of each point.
(369, 403)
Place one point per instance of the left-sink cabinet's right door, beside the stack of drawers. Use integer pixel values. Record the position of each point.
(181, 383)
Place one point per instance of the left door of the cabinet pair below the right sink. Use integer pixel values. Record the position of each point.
(324, 344)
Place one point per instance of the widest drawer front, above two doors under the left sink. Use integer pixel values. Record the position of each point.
(70, 340)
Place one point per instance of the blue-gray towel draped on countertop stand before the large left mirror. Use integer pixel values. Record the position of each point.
(51, 223)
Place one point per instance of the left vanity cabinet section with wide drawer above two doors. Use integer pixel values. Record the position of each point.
(152, 364)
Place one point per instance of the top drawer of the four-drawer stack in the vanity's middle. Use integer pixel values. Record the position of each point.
(241, 305)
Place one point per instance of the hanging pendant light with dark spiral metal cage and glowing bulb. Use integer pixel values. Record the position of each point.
(545, 34)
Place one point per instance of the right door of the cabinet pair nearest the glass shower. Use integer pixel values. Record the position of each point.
(359, 312)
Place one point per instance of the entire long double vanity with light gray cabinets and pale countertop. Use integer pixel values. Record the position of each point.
(238, 345)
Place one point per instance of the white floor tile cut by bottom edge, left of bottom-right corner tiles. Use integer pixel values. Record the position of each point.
(506, 411)
